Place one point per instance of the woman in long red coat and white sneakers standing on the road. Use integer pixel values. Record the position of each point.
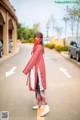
(35, 69)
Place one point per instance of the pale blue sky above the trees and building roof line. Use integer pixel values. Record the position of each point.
(30, 12)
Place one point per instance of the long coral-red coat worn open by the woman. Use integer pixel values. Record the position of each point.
(37, 61)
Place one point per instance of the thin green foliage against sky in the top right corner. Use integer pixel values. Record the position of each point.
(73, 18)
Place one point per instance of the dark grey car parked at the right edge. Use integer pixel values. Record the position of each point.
(74, 49)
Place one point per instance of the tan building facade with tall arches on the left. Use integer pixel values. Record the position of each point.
(8, 25)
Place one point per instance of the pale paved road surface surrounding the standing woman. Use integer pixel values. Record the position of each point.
(63, 87)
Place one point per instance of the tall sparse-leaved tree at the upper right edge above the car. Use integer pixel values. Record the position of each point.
(74, 18)
